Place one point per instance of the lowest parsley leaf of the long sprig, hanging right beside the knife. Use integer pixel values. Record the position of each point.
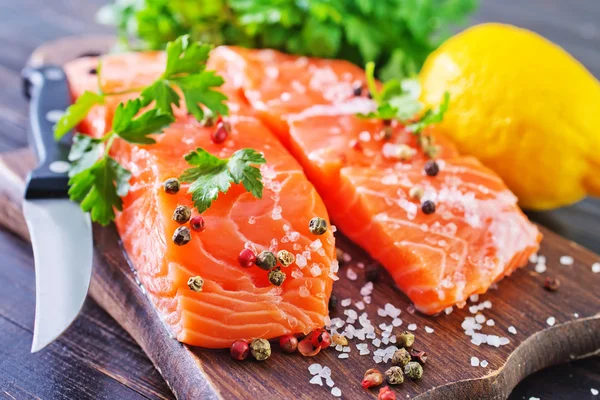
(99, 189)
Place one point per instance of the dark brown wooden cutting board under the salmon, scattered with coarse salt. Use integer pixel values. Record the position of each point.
(519, 301)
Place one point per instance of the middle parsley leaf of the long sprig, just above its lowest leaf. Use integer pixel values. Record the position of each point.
(136, 130)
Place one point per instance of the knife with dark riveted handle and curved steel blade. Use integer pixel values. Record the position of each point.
(61, 233)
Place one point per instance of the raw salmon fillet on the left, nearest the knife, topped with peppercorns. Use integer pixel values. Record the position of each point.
(235, 303)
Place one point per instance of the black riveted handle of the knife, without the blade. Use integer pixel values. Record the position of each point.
(49, 95)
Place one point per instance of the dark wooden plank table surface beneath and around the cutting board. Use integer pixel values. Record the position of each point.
(96, 358)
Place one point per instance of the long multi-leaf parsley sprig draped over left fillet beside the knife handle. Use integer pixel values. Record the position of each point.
(97, 180)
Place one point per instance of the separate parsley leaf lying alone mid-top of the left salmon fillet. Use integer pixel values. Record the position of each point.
(211, 175)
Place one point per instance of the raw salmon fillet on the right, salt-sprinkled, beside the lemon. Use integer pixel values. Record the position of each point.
(477, 235)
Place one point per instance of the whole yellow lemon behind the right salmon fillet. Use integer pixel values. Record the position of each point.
(522, 105)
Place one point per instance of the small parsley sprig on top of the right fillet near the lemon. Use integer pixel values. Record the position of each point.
(399, 100)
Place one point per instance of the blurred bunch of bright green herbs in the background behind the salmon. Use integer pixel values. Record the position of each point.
(396, 34)
